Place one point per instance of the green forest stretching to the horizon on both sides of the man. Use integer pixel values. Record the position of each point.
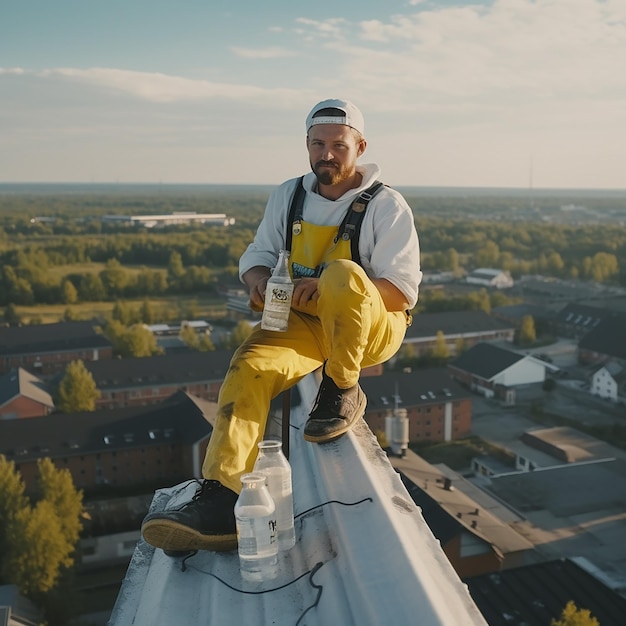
(55, 248)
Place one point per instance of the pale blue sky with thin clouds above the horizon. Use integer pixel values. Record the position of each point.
(508, 93)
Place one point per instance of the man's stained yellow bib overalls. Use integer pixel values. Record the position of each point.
(348, 327)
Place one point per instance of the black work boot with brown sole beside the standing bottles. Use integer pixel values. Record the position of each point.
(207, 522)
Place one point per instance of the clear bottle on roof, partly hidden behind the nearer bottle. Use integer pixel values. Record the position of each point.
(274, 465)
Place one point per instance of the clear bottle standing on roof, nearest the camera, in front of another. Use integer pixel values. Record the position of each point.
(256, 530)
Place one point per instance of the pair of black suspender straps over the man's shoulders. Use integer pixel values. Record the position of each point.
(350, 227)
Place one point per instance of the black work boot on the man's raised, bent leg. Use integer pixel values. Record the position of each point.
(335, 411)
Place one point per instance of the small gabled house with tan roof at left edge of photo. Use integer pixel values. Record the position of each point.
(23, 394)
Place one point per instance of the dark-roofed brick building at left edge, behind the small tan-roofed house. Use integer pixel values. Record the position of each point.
(47, 349)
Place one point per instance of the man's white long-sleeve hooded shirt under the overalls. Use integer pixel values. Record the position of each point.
(388, 243)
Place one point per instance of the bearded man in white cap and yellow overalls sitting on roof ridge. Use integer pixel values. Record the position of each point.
(345, 316)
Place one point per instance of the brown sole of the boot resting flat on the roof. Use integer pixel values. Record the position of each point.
(172, 536)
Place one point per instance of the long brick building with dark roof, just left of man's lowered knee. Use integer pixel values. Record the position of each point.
(143, 381)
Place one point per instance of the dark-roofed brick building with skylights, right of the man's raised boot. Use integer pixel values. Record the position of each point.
(438, 408)
